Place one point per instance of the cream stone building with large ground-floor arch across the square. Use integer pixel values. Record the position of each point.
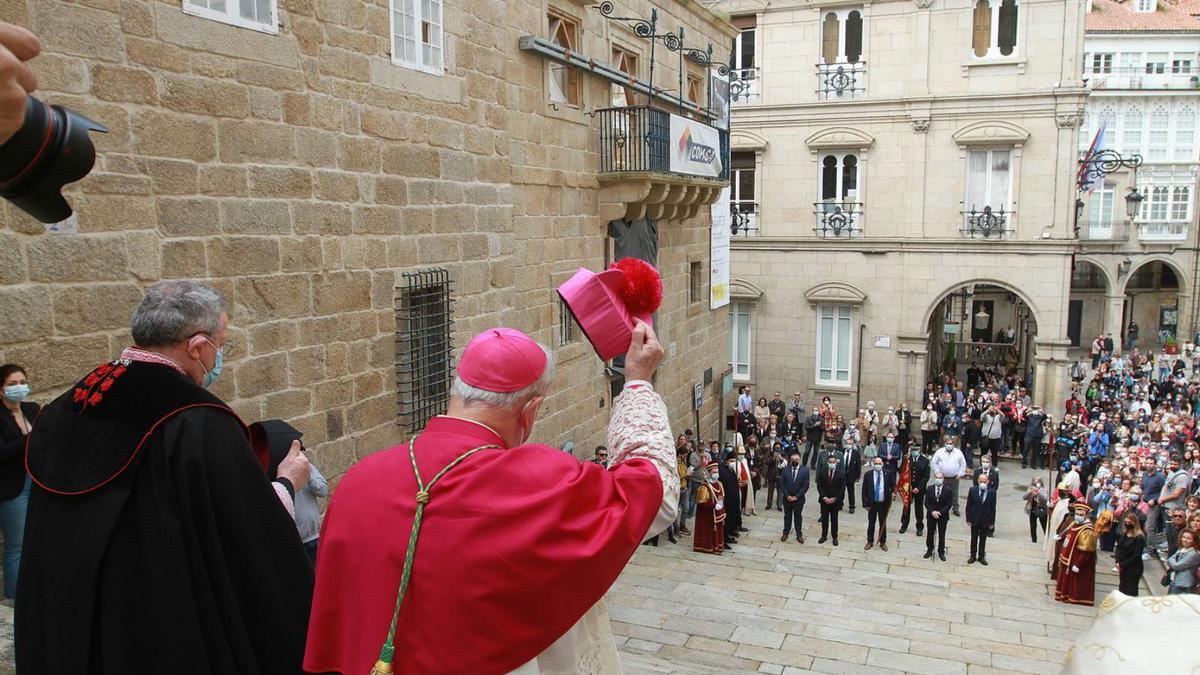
(908, 169)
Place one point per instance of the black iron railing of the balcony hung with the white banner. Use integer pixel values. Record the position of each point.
(638, 139)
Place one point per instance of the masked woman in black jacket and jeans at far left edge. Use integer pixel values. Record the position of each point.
(15, 425)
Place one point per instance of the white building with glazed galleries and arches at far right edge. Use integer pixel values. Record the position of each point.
(1141, 63)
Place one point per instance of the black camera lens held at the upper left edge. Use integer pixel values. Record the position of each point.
(51, 150)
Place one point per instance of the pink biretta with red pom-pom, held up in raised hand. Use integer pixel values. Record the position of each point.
(607, 304)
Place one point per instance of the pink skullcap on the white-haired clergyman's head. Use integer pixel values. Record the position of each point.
(502, 360)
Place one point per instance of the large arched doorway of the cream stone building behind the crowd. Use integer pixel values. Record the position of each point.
(981, 331)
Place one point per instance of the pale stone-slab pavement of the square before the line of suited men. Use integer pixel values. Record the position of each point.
(783, 608)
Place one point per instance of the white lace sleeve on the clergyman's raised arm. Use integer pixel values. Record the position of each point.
(641, 428)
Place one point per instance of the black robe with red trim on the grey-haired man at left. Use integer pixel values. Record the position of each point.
(154, 541)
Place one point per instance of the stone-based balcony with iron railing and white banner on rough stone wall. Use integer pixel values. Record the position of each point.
(655, 169)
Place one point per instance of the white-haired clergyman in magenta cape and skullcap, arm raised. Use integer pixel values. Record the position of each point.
(471, 551)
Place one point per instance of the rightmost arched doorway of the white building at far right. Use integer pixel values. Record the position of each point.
(1154, 297)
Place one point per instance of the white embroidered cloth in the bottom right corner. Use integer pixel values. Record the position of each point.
(1143, 635)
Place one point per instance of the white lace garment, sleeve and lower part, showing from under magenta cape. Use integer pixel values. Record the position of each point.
(640, 429)
